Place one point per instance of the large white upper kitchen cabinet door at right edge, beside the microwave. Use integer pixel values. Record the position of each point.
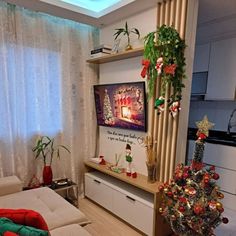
(222, 73)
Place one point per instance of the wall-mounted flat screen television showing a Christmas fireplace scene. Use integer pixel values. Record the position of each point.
(121, 105)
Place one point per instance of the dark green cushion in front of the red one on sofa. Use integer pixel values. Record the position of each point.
(8, 225)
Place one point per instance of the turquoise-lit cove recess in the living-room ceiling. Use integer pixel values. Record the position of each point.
(94, 8)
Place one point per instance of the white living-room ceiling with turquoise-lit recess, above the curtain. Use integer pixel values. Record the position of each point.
(121, 10)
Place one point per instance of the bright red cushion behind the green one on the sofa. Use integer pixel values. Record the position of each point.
(25, 217)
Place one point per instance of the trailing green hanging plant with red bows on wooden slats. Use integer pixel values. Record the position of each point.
(164, 57)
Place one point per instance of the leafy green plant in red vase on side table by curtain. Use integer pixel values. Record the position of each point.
(46, 148)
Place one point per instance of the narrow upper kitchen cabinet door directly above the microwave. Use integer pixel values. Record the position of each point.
(201, 58)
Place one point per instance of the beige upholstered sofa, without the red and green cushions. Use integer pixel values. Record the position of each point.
(61, 217)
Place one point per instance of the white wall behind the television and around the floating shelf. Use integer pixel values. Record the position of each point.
(124, 71)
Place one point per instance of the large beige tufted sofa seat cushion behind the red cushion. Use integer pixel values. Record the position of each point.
(55, 210)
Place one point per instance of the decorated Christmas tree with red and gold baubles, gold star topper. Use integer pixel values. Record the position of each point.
(191, 199)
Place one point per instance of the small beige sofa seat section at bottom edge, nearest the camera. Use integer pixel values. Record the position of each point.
(70, 230)
